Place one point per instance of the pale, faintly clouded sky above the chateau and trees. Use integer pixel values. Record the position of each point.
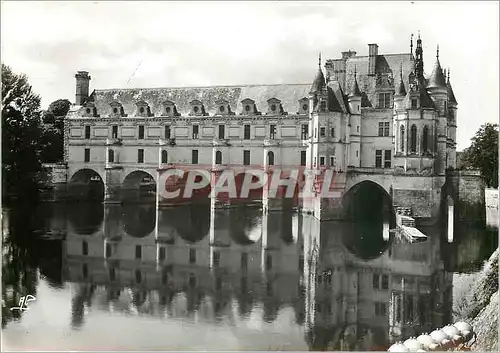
(174, 44)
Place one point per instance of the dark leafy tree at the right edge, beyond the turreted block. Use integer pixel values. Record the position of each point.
(483, 154)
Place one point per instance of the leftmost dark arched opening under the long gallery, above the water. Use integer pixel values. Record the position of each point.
(86, 185)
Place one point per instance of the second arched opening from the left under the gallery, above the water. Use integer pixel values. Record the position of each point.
(139, 186)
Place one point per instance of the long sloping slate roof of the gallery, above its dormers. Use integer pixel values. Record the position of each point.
(211, 97)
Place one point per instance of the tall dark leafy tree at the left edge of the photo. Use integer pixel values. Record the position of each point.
(21, 133)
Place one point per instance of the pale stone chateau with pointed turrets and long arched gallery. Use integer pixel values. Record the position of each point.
(375, 118)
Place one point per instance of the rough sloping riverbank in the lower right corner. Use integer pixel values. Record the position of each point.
(480, 306)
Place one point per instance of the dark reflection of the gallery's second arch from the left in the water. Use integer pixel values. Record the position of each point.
(139, 220)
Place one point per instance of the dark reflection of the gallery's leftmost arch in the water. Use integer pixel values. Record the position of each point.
(85, 218)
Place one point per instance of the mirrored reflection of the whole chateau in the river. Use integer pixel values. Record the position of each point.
(348, 287)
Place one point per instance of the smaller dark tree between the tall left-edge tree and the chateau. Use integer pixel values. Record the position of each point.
(53, 131)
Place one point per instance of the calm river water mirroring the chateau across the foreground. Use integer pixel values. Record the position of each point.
(134, 278)
